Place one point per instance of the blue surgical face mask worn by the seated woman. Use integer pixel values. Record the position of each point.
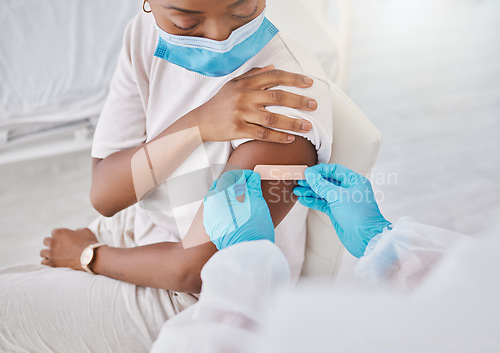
(216, 58)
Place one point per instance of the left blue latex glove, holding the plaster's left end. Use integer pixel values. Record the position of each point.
(229, 221)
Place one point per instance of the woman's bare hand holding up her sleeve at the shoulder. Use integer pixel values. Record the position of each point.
(238, 110)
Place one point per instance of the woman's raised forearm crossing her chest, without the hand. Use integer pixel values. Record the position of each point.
(124, 177)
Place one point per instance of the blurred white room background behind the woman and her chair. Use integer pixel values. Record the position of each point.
(425, 72)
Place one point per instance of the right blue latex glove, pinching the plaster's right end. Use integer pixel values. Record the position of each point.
(348, 199)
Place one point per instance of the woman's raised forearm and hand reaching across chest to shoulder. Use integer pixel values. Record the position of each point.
(236, 111)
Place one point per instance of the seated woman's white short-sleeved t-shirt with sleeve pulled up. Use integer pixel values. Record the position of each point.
(148, 94)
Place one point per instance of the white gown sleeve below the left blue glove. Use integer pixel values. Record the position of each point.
(238, 291)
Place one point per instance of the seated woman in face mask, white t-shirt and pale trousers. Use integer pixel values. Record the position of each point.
(185, 98)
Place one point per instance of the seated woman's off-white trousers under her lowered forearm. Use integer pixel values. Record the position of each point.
(45, 309)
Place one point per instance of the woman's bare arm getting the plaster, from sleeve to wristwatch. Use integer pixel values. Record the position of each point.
(171, 266)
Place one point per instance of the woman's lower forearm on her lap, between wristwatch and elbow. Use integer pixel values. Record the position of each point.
(164, 265)
